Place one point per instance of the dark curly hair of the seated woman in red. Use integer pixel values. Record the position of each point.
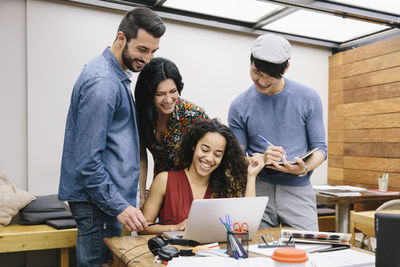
(229, 179)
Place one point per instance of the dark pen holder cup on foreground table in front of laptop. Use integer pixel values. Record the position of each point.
(237, 244)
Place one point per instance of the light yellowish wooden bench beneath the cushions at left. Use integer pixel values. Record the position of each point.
(14, 238)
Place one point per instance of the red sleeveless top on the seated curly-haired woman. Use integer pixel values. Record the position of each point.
(178, 197)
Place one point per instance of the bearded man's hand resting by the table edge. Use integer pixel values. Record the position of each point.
(132, 219)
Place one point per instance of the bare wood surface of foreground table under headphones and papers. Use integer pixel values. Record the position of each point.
(139, 255)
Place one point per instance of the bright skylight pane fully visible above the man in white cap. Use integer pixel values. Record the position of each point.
(323, 26)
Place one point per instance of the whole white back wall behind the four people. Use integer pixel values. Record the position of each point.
(62, 37)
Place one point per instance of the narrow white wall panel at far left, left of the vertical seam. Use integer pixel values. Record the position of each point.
(13, 129)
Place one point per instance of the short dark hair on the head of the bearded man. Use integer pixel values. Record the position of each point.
(141, 18)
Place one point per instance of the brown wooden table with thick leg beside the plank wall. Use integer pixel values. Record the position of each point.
(343, 206)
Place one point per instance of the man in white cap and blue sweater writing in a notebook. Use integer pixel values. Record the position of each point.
(281, 119)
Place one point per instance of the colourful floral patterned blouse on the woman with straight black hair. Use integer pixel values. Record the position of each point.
(185, 113)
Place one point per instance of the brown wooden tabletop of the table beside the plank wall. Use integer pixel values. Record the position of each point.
(365, 197)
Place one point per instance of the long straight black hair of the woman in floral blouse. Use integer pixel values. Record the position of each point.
(158, 70)
